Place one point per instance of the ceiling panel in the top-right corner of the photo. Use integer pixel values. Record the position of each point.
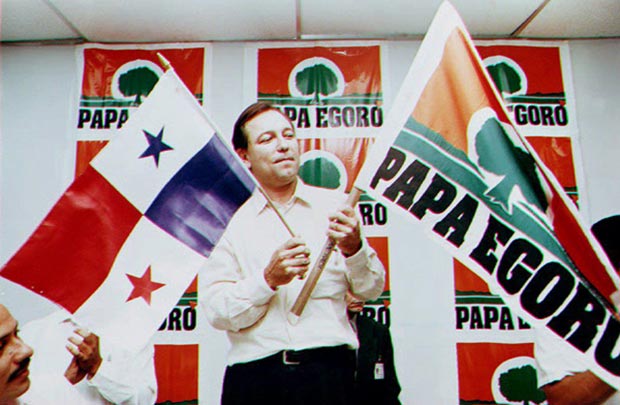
(576, 19)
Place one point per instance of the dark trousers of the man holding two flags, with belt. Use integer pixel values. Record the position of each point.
(322, 376)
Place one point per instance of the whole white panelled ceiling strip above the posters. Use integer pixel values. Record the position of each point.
(225, 20)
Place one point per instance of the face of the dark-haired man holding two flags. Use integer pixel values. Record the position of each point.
(273, 152)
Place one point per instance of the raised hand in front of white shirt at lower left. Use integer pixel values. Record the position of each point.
(86, 357)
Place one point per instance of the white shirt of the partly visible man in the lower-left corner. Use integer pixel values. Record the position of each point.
(122, 378)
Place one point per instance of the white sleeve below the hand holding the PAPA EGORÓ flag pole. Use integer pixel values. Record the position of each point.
(366, 273)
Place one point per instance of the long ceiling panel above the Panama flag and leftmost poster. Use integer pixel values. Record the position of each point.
(187, 20)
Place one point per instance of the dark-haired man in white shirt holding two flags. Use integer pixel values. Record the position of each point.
(253, 277)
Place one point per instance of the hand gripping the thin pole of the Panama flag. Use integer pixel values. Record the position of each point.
(287, 262)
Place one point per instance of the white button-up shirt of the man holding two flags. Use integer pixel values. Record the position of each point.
(237, 298)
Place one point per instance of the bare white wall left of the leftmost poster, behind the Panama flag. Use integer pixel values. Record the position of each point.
(36, 149)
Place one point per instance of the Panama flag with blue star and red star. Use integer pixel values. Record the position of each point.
(126, 239)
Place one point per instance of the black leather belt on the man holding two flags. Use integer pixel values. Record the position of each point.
(330, 355)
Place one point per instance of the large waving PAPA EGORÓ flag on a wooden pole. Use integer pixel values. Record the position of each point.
(451, 160)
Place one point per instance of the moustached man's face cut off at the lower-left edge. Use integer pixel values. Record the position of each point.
(14, 359)
